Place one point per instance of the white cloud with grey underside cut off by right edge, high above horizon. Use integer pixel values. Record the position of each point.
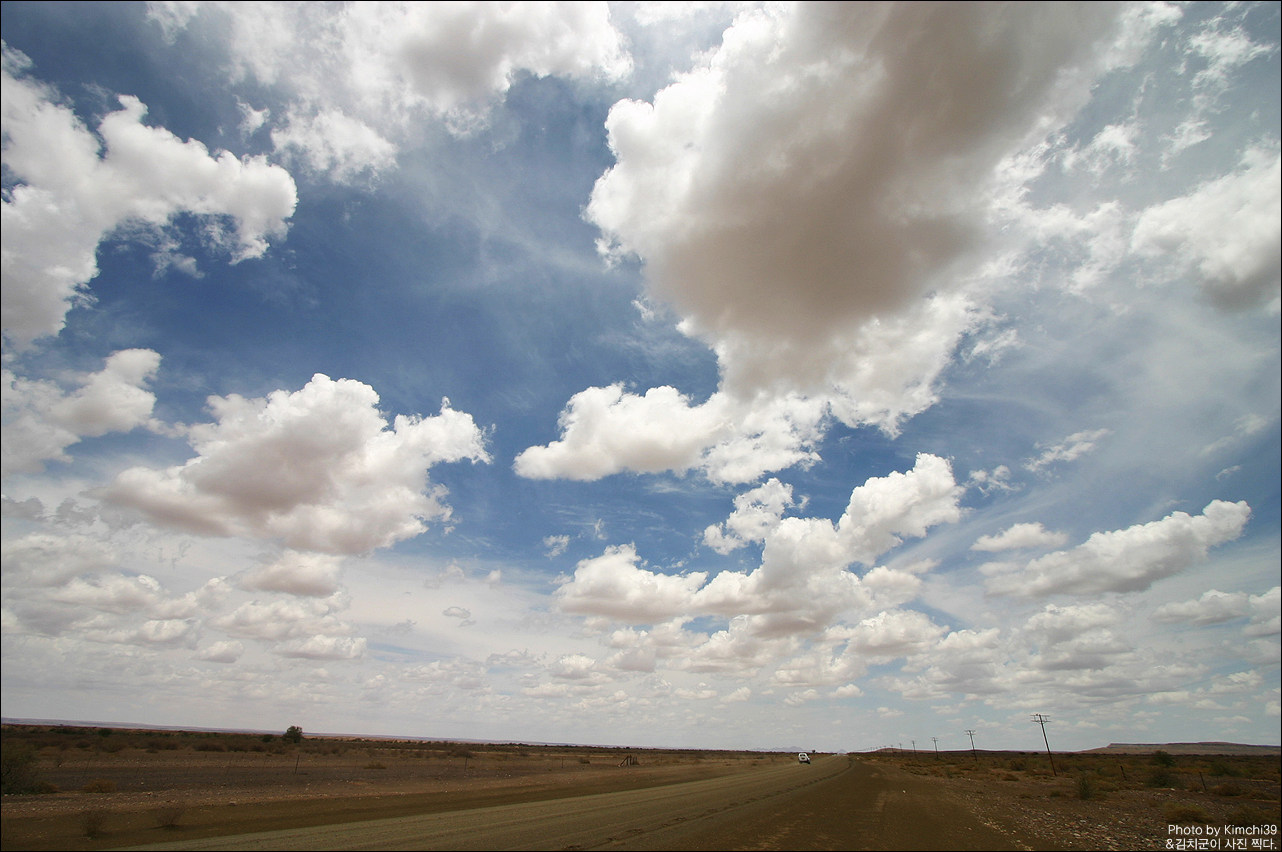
(1229, 231)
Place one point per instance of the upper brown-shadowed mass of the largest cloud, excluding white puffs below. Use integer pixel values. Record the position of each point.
(824, 166)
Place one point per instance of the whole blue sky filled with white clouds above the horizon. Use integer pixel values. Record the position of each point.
(694, 376)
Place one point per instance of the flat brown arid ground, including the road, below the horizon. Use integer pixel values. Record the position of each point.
(175, 790)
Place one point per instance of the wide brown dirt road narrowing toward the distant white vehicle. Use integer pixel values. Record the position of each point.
(837, 804)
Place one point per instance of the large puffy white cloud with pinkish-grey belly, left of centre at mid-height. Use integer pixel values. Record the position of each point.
(317, 470)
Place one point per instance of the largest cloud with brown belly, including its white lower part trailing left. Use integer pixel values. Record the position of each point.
(806, 198)
